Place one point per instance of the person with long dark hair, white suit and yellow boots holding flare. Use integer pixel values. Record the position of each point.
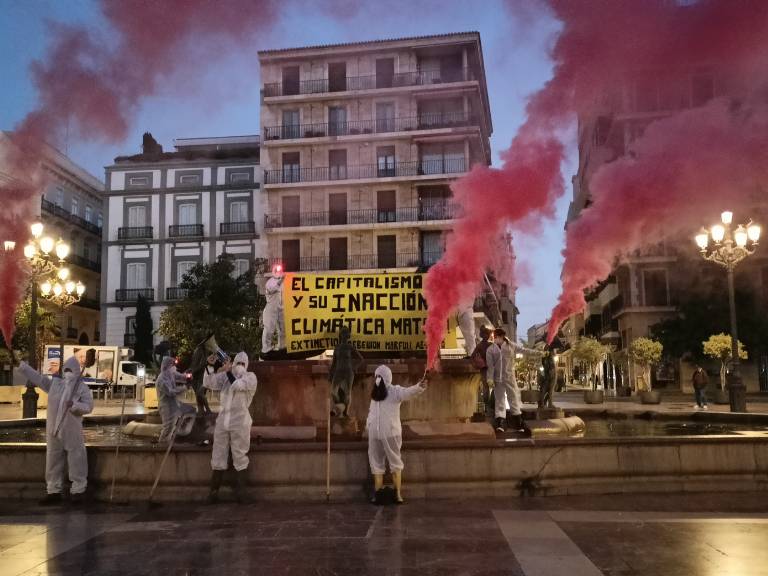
(385, 435)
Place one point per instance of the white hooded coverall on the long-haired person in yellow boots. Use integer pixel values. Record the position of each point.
(385, 433)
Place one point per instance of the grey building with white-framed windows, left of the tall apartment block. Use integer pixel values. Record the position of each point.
(166, 212)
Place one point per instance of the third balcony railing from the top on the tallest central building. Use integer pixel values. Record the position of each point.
(293, 174)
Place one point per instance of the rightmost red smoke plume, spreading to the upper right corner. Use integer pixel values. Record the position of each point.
(685, 168)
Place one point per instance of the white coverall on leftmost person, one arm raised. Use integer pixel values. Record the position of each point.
(69, 444)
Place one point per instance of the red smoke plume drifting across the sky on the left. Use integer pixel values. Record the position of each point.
(92, 84)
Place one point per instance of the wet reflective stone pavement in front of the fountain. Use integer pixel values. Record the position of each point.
(671, 535)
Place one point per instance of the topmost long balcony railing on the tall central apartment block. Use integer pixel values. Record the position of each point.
(368, 82)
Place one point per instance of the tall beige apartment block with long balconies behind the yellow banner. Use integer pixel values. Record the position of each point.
(360, 144)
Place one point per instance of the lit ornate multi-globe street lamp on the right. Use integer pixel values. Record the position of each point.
(728, 247)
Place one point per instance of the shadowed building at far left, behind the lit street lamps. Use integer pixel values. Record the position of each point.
(71, 209)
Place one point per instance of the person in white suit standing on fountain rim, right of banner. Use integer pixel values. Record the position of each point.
(500, 360)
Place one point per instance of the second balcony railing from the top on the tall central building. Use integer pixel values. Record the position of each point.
(427, 121)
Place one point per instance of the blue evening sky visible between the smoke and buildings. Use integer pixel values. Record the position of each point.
(516, 63)
